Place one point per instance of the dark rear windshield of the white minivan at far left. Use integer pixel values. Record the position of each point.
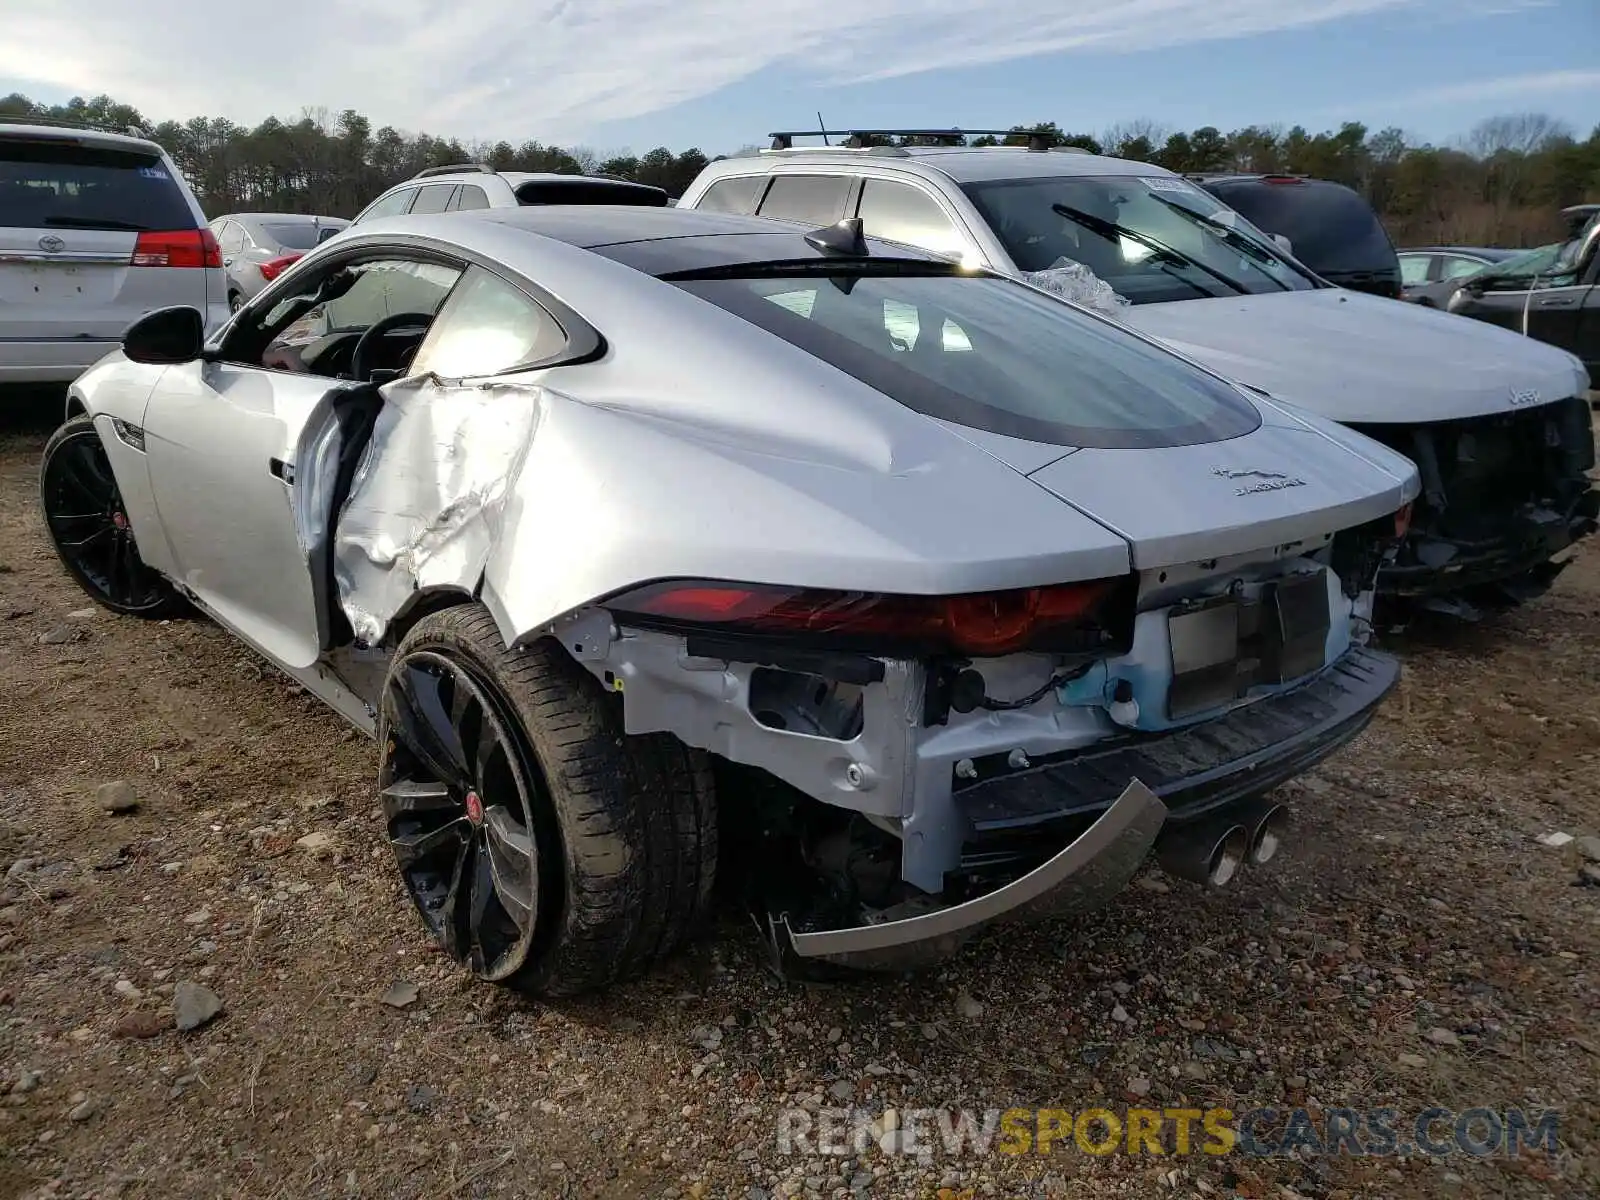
(58, 185)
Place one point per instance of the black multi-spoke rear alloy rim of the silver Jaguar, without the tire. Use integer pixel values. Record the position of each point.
(462, 794)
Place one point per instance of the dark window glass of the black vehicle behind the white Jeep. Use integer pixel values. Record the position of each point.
(1330, 228)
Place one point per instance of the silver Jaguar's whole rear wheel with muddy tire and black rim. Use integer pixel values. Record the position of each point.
(543, 847)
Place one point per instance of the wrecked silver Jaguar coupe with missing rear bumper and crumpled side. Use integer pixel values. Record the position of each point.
(654, 543)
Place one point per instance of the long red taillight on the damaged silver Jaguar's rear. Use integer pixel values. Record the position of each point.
(978, 623)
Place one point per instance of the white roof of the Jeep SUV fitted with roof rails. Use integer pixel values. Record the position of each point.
(964, 164)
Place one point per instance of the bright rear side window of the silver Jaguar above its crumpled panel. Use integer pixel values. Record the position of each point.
(487, 327)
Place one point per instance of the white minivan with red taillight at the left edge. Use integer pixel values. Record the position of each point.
(97, 230)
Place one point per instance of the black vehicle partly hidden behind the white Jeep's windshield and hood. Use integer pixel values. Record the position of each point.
(1329, 226)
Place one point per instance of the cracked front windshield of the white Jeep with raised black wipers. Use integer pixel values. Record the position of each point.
(1151, 238)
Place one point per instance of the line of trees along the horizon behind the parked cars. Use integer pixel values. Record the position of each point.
(1505, 183)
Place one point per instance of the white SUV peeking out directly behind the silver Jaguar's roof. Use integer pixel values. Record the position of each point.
(468, 186)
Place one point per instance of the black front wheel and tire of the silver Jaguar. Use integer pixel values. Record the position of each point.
(89, 526)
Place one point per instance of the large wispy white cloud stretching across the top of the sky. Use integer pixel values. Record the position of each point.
(561, 68)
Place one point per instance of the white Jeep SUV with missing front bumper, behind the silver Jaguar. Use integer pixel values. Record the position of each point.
(1498, 423)
